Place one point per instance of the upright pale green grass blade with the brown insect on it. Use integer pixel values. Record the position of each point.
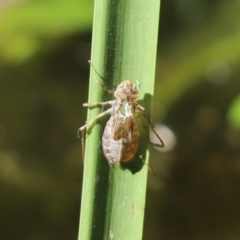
(123, 47)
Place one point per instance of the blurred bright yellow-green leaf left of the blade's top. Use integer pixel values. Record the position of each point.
(26, 27)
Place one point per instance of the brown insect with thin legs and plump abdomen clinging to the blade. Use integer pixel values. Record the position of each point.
(120, 138)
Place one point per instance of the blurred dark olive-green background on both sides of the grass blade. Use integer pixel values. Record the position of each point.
(44, 48)
